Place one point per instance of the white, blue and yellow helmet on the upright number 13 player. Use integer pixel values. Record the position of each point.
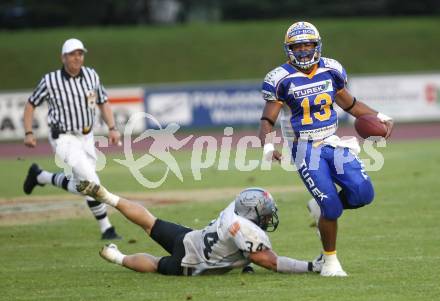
(303, 32)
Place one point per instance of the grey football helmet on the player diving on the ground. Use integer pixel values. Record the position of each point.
(258, 206)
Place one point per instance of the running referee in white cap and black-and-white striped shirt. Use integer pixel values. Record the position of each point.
(72, 93)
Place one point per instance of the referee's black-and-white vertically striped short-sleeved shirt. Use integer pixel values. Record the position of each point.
(71, 100)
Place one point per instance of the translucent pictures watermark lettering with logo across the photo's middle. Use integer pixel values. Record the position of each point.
(214, 152)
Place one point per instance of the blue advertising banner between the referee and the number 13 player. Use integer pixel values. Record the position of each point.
(205, 105)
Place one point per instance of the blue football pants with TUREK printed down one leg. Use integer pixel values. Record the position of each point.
(321, 167)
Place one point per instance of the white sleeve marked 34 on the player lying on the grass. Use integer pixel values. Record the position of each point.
(250, 238)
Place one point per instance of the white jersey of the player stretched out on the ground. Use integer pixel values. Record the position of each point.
(224, 244)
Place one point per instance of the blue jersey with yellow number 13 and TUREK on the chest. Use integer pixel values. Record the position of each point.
(307, 98)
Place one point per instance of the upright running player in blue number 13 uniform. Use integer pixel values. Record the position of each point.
(305, 90)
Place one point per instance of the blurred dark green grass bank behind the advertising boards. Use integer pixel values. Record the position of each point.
(223, 51)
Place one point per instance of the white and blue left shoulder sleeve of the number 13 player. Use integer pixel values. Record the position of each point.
(272, 88)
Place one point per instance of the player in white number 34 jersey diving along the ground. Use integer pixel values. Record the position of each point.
(233, 240)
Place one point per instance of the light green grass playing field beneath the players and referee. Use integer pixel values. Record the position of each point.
(390, 248)
